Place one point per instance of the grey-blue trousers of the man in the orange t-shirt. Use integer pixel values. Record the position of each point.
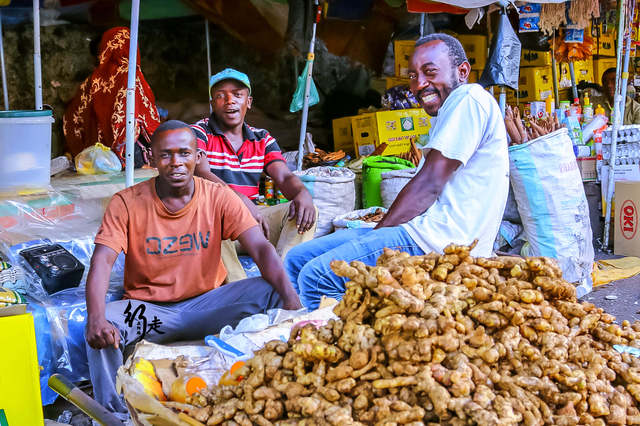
(190, 319)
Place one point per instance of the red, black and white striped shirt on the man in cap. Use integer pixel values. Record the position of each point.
(240, 170)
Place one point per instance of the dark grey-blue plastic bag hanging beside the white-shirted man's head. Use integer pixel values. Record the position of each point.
(503, 67)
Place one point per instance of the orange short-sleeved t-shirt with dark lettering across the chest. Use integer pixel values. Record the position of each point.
(172, 256)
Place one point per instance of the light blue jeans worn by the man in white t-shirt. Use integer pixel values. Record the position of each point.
(308, 264)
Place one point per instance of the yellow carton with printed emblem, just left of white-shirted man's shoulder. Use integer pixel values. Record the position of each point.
(395, 128)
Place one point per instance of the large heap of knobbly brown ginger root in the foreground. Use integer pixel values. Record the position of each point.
(442, 339)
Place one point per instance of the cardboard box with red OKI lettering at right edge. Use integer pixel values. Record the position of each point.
(626, 235)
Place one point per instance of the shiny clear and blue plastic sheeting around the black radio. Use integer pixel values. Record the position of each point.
(59, 319)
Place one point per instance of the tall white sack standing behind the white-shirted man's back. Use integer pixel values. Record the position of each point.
(550, 195)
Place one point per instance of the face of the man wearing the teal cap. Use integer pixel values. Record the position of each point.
(230, 100)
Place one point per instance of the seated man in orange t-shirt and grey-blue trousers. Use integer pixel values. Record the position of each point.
(171, 228)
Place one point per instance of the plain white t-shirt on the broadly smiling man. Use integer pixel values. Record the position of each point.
(469, 128)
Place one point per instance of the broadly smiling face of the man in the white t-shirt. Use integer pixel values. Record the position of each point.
(432, 76)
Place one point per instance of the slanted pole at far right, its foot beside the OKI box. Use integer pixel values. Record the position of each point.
(614, 131)
